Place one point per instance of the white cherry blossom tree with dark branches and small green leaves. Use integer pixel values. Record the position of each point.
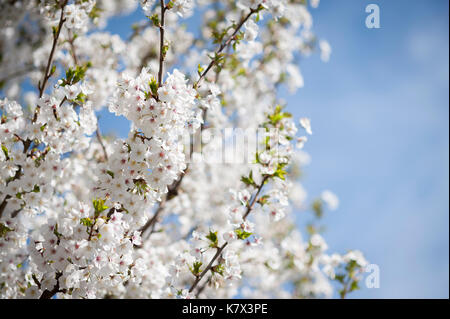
(83, 215)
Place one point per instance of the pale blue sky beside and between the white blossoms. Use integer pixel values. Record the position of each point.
(379, 111)
